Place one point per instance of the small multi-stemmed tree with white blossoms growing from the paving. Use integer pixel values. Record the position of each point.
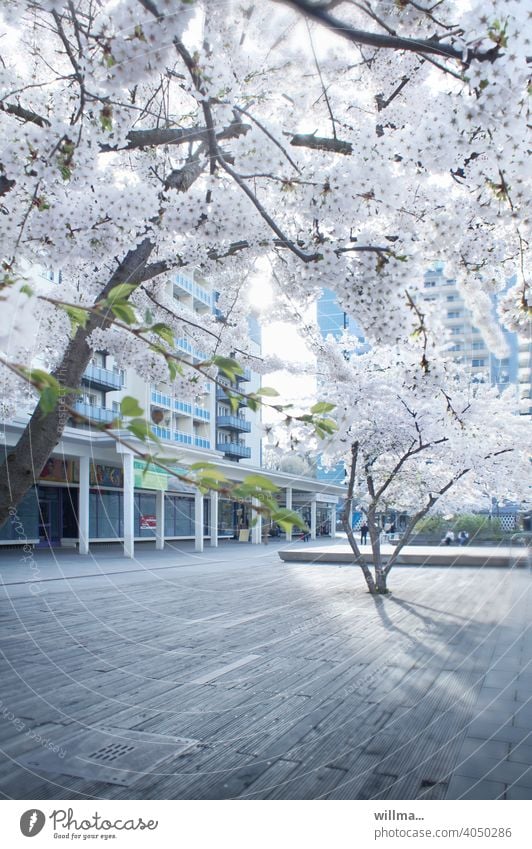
(418, 443)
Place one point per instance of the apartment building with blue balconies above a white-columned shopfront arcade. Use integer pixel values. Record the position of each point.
(93, 489)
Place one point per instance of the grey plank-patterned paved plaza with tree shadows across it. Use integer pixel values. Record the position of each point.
(232, 675)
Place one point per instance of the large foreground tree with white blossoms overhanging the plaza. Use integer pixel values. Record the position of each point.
(342, 142)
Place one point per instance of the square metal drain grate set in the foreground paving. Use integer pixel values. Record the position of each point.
(111, 755)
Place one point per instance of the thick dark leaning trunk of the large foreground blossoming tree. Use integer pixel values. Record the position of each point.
(23, 462)
